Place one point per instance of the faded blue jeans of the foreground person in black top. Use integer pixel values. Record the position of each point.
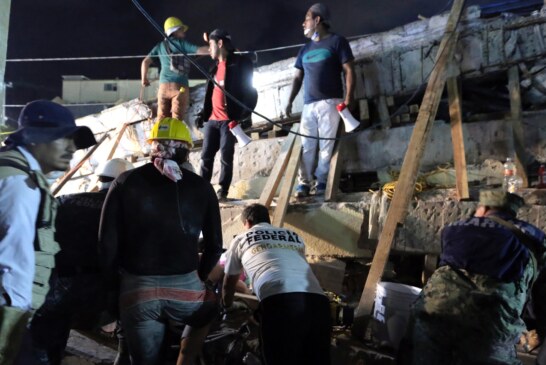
(149, 303)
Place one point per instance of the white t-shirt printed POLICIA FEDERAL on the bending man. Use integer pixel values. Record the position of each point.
(274, 259)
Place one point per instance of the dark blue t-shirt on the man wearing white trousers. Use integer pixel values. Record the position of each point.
(321, 63)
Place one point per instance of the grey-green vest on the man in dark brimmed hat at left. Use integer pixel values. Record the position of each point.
(45, 247)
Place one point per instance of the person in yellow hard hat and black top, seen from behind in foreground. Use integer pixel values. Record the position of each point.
(149, 233)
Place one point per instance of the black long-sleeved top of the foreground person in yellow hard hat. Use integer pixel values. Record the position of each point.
(150, 225)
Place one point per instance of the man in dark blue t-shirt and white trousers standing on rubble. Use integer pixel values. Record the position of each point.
(319, 65)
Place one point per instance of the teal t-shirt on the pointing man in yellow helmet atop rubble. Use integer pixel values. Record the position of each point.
(159, 51)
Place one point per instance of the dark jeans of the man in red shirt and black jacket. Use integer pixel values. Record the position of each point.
(217, 136)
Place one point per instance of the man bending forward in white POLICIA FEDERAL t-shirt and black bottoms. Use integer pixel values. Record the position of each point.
(294, 312)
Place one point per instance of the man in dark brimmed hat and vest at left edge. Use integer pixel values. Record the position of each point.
(45, 141)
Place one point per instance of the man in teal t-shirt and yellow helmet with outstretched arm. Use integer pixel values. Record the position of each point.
(173, 96)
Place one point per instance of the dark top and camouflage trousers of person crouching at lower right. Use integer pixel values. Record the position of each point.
(464, 316)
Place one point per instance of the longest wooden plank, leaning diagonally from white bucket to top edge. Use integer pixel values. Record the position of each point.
(410, 167)
